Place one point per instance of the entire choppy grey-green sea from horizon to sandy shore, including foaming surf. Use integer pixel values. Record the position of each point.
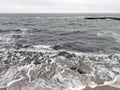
(59, 51)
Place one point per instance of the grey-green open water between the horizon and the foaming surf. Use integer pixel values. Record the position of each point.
(69, 31)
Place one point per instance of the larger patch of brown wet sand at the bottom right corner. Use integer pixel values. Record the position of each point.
(102, 88)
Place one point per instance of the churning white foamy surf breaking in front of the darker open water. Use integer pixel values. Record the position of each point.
(44, 68)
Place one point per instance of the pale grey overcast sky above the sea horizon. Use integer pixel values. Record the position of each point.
(59, 6)
